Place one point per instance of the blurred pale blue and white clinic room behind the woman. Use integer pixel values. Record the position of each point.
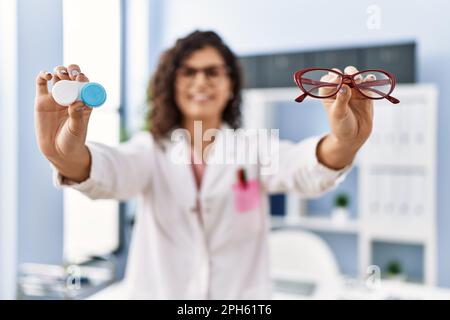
(384, 233)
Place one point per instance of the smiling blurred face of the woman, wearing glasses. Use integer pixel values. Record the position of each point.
(202, 86)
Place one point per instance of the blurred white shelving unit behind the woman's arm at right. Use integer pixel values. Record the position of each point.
(391, 170)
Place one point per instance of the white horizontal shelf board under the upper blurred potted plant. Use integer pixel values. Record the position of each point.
(317, 224)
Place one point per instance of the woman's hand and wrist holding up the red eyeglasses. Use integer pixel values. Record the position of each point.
(350, 116)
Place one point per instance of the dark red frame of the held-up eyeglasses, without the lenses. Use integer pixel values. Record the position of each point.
(347, 79)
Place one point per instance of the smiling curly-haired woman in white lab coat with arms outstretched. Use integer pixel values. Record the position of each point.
(201, 230)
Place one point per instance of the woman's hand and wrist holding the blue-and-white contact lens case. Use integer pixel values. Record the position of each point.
(61, 131)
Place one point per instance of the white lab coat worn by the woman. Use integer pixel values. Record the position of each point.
(173, 255)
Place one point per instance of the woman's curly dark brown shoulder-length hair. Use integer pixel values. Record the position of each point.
(164, 114)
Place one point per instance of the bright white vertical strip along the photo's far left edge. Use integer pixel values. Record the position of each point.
(8, 148)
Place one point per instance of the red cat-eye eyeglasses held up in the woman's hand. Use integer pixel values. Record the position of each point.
(325, 83)
